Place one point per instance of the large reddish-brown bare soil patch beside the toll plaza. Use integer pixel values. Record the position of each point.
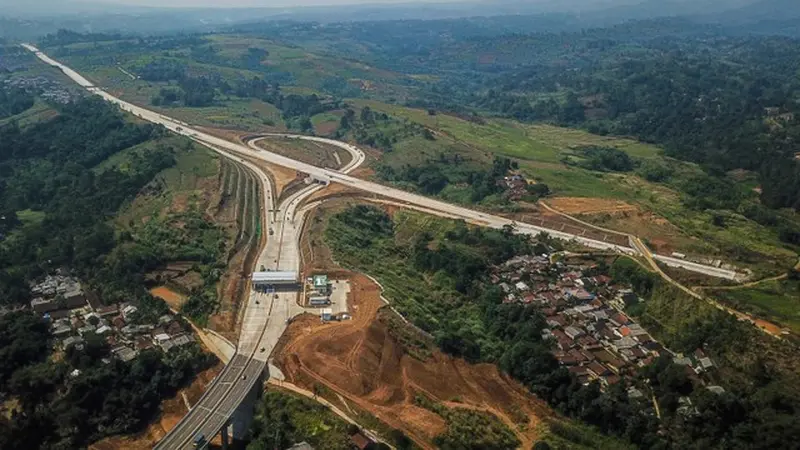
(362, 362)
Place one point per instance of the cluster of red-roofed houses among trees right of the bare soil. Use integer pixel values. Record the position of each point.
(592, 335)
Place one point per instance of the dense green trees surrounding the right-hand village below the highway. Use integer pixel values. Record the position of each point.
(469, 319)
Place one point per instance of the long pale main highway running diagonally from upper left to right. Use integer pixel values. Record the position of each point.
(378, 189)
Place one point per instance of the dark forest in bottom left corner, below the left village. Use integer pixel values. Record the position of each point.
(78, 398)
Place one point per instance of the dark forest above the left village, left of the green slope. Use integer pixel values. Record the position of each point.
(47, 168)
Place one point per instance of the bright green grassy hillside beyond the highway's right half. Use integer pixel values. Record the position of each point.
(539, 149)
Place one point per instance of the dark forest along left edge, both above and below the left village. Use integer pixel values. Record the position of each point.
(56, 209)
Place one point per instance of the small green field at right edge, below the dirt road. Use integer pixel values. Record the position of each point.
(774, 300)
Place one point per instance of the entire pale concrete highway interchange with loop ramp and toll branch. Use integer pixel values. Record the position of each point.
(266, 315)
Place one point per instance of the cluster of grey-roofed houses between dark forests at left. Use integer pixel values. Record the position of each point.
(62, 301)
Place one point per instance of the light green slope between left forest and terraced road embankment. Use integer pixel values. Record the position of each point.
(170, 222)
